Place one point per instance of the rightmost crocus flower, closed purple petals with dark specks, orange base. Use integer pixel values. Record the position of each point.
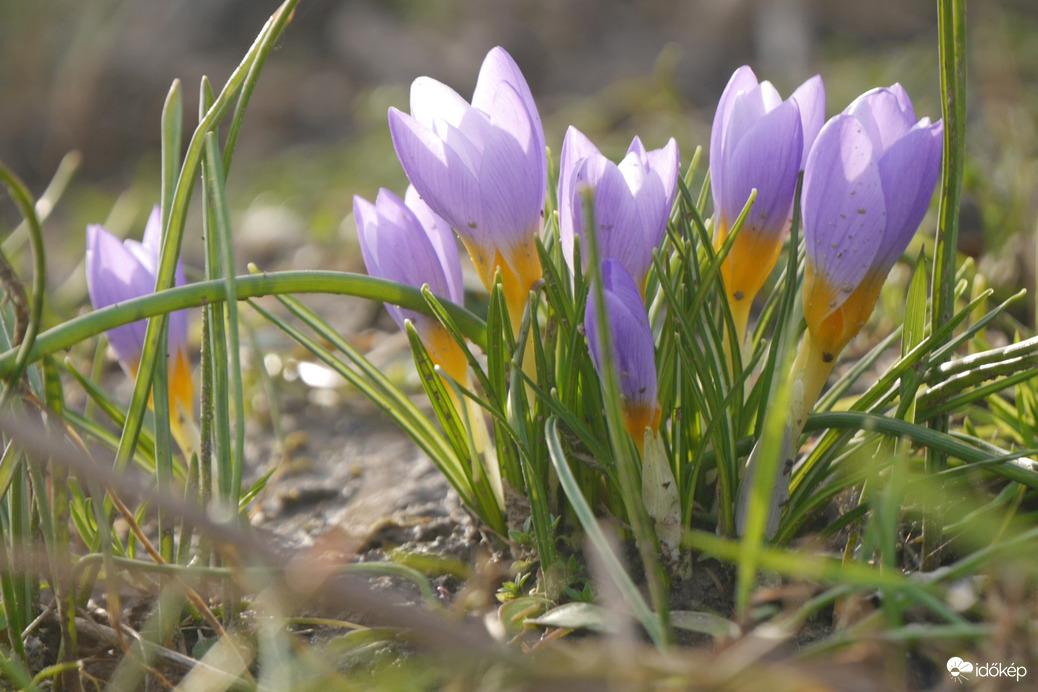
(867, 186)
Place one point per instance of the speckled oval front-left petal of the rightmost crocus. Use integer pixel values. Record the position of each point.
(844, 213)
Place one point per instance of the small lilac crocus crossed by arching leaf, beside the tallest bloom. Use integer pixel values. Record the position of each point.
(406, 242)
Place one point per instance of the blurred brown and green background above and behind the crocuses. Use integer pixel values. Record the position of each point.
(92, 77)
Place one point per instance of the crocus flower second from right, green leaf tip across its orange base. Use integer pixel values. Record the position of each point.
(758, 142)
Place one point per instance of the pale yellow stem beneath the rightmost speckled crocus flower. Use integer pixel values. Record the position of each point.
(810, 372)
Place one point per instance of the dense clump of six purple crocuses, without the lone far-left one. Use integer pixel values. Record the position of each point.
(481, 169)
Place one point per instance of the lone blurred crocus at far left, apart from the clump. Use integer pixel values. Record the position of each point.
(121, 271)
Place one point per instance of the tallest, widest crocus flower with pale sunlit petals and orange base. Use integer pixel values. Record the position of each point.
(483, 168)
